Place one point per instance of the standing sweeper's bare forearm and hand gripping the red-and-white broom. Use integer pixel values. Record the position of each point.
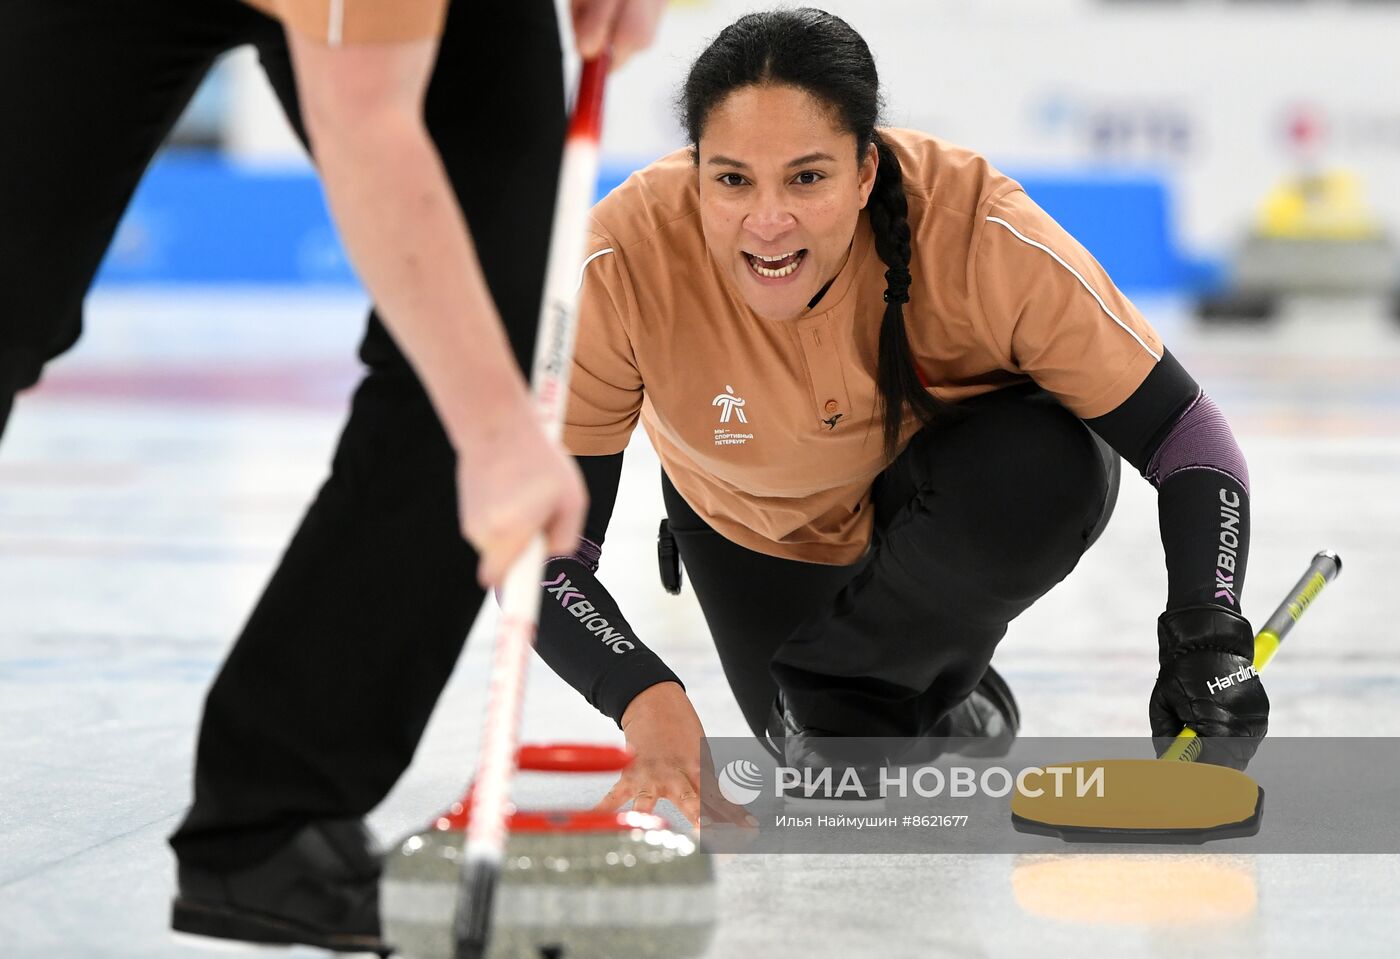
(398, 218)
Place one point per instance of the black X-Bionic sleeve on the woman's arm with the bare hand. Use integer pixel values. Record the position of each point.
(583, 635)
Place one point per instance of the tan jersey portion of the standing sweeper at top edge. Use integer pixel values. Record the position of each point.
(359, 22)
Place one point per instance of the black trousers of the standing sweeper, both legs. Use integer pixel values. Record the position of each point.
(325, 695)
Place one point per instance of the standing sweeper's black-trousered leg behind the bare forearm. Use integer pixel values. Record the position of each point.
(325, 695)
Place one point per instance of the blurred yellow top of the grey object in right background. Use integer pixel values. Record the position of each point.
(1325, 206)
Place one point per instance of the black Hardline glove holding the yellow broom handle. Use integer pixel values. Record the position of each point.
(1207, 681)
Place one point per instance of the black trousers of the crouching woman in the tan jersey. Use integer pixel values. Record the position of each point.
(974, 523)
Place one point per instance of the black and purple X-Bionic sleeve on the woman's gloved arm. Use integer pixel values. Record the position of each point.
(1203, 499)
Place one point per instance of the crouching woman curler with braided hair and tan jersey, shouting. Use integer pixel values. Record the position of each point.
(890, 395)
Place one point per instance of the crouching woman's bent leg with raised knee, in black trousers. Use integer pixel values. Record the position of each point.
(976, 520)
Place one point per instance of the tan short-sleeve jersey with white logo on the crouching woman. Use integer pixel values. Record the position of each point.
(772, 429)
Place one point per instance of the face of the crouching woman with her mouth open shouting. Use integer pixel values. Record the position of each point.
(780, 195)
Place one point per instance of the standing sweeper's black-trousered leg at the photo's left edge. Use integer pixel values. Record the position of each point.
(90, 93)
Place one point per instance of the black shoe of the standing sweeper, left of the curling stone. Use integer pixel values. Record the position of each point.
(320, 890)
